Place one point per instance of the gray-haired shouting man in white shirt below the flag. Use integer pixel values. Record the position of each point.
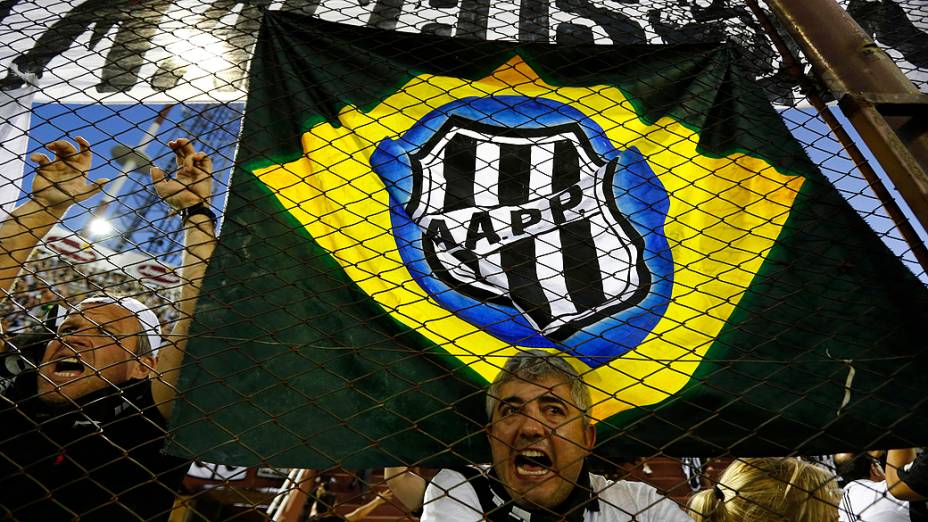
(540, 437)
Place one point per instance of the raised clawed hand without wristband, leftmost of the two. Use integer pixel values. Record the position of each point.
(61, 182)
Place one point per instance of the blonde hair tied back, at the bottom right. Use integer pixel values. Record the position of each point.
(769, 489)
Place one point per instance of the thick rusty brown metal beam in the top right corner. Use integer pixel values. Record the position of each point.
(885, 107)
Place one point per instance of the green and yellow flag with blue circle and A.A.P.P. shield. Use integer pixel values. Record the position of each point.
(410, 210)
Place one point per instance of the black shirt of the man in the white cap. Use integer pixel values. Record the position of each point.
(100, 459)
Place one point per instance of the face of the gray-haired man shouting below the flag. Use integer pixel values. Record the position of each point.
(539, 440)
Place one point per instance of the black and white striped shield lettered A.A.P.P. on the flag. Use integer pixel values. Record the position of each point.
(527, 218)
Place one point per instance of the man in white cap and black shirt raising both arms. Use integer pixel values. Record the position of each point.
(81, 434)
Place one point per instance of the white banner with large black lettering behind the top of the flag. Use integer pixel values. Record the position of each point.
(164, 51)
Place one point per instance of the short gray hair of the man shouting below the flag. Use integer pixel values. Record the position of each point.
(534, 366)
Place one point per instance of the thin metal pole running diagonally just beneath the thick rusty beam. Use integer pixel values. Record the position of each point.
(919, 250)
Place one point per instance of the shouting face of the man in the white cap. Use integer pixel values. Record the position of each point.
(95, 348)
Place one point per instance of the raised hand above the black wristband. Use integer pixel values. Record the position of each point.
(194, 179)
